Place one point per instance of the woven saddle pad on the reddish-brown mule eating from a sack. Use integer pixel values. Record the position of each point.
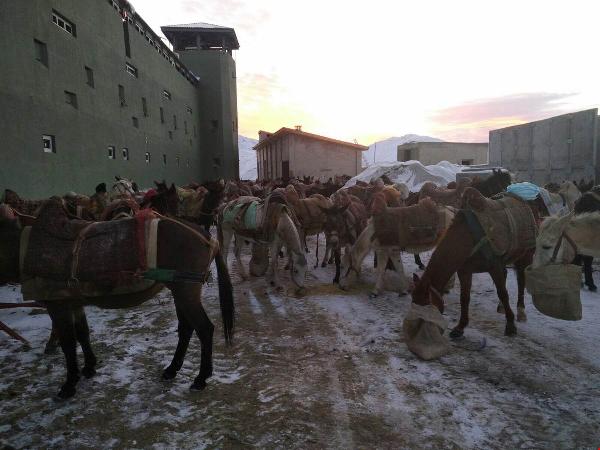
(508, 223)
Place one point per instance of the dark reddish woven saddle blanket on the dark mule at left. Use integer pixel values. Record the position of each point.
(73, 252)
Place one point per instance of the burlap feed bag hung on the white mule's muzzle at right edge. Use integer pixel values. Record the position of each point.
(555, 290)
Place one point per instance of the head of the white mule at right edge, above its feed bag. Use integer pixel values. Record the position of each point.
(550, 233)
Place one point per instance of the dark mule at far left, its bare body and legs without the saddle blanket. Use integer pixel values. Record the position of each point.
(182, 247)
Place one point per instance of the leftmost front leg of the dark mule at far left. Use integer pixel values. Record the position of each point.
(62, 321)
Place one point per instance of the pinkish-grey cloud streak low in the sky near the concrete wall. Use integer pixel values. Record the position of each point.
(471, 121)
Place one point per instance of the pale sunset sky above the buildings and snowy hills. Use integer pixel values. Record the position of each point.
(368, 70)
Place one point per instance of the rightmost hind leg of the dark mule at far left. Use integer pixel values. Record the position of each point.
(188, 301)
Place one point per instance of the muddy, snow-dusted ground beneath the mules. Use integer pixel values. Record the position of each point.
(327, 370)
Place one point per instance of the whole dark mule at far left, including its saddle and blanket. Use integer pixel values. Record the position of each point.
(178, 254)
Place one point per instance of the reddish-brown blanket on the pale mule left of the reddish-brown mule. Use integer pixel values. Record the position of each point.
(416, 225)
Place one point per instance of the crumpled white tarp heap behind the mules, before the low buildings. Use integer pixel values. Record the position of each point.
(412, 173)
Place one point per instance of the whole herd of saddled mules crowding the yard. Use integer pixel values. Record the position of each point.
(458, 222)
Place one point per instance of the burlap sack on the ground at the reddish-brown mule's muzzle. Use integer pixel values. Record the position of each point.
(424, 329)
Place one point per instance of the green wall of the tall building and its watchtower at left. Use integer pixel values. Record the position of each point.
(33, 103)
